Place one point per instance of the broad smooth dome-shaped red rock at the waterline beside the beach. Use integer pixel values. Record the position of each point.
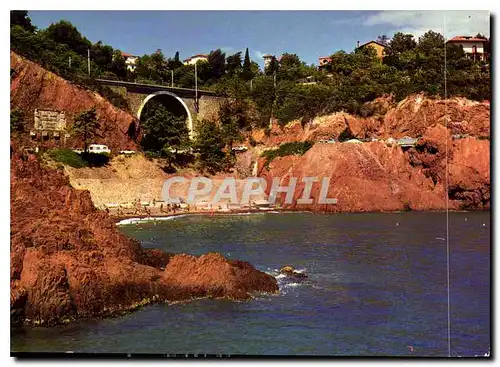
(363, 177)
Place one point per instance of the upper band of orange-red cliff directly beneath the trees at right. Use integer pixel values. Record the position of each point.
(411, 117)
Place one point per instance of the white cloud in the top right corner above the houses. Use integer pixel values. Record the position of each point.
(450, 22)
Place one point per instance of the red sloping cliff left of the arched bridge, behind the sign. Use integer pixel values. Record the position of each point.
(33, 87)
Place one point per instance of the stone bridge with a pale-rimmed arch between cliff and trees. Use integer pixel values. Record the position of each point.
(194, 105)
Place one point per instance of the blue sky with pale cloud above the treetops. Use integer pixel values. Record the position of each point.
(309, 34)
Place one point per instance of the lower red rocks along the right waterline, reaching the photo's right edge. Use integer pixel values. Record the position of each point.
(375, 176)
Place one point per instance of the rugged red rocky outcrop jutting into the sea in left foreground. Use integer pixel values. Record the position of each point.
(68, 261)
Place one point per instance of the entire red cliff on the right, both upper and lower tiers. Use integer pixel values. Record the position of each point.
(375, 176)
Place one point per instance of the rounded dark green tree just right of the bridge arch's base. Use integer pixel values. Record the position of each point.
(209, 144)
